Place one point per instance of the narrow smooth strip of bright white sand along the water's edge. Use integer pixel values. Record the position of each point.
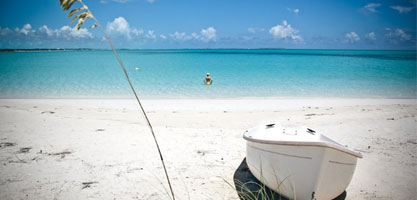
(225, 103)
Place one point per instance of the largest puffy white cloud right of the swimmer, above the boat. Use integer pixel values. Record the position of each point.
(285, 31)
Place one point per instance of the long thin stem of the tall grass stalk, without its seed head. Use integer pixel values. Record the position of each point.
(137, 99)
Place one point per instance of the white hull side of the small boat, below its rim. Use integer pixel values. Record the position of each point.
(301, 171)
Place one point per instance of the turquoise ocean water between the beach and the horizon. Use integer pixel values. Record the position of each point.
(236, 73)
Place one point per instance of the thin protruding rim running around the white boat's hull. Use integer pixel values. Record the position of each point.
(305, 143)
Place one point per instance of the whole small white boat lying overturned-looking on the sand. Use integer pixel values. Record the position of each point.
(299, 163)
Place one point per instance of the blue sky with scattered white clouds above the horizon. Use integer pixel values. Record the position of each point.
(173, 24)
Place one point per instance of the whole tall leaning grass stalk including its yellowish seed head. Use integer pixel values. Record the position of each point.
(66, 5)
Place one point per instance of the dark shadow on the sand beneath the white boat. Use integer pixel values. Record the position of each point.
(249, 188)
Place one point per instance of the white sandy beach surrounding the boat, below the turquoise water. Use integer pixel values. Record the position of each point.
(102, 149)
